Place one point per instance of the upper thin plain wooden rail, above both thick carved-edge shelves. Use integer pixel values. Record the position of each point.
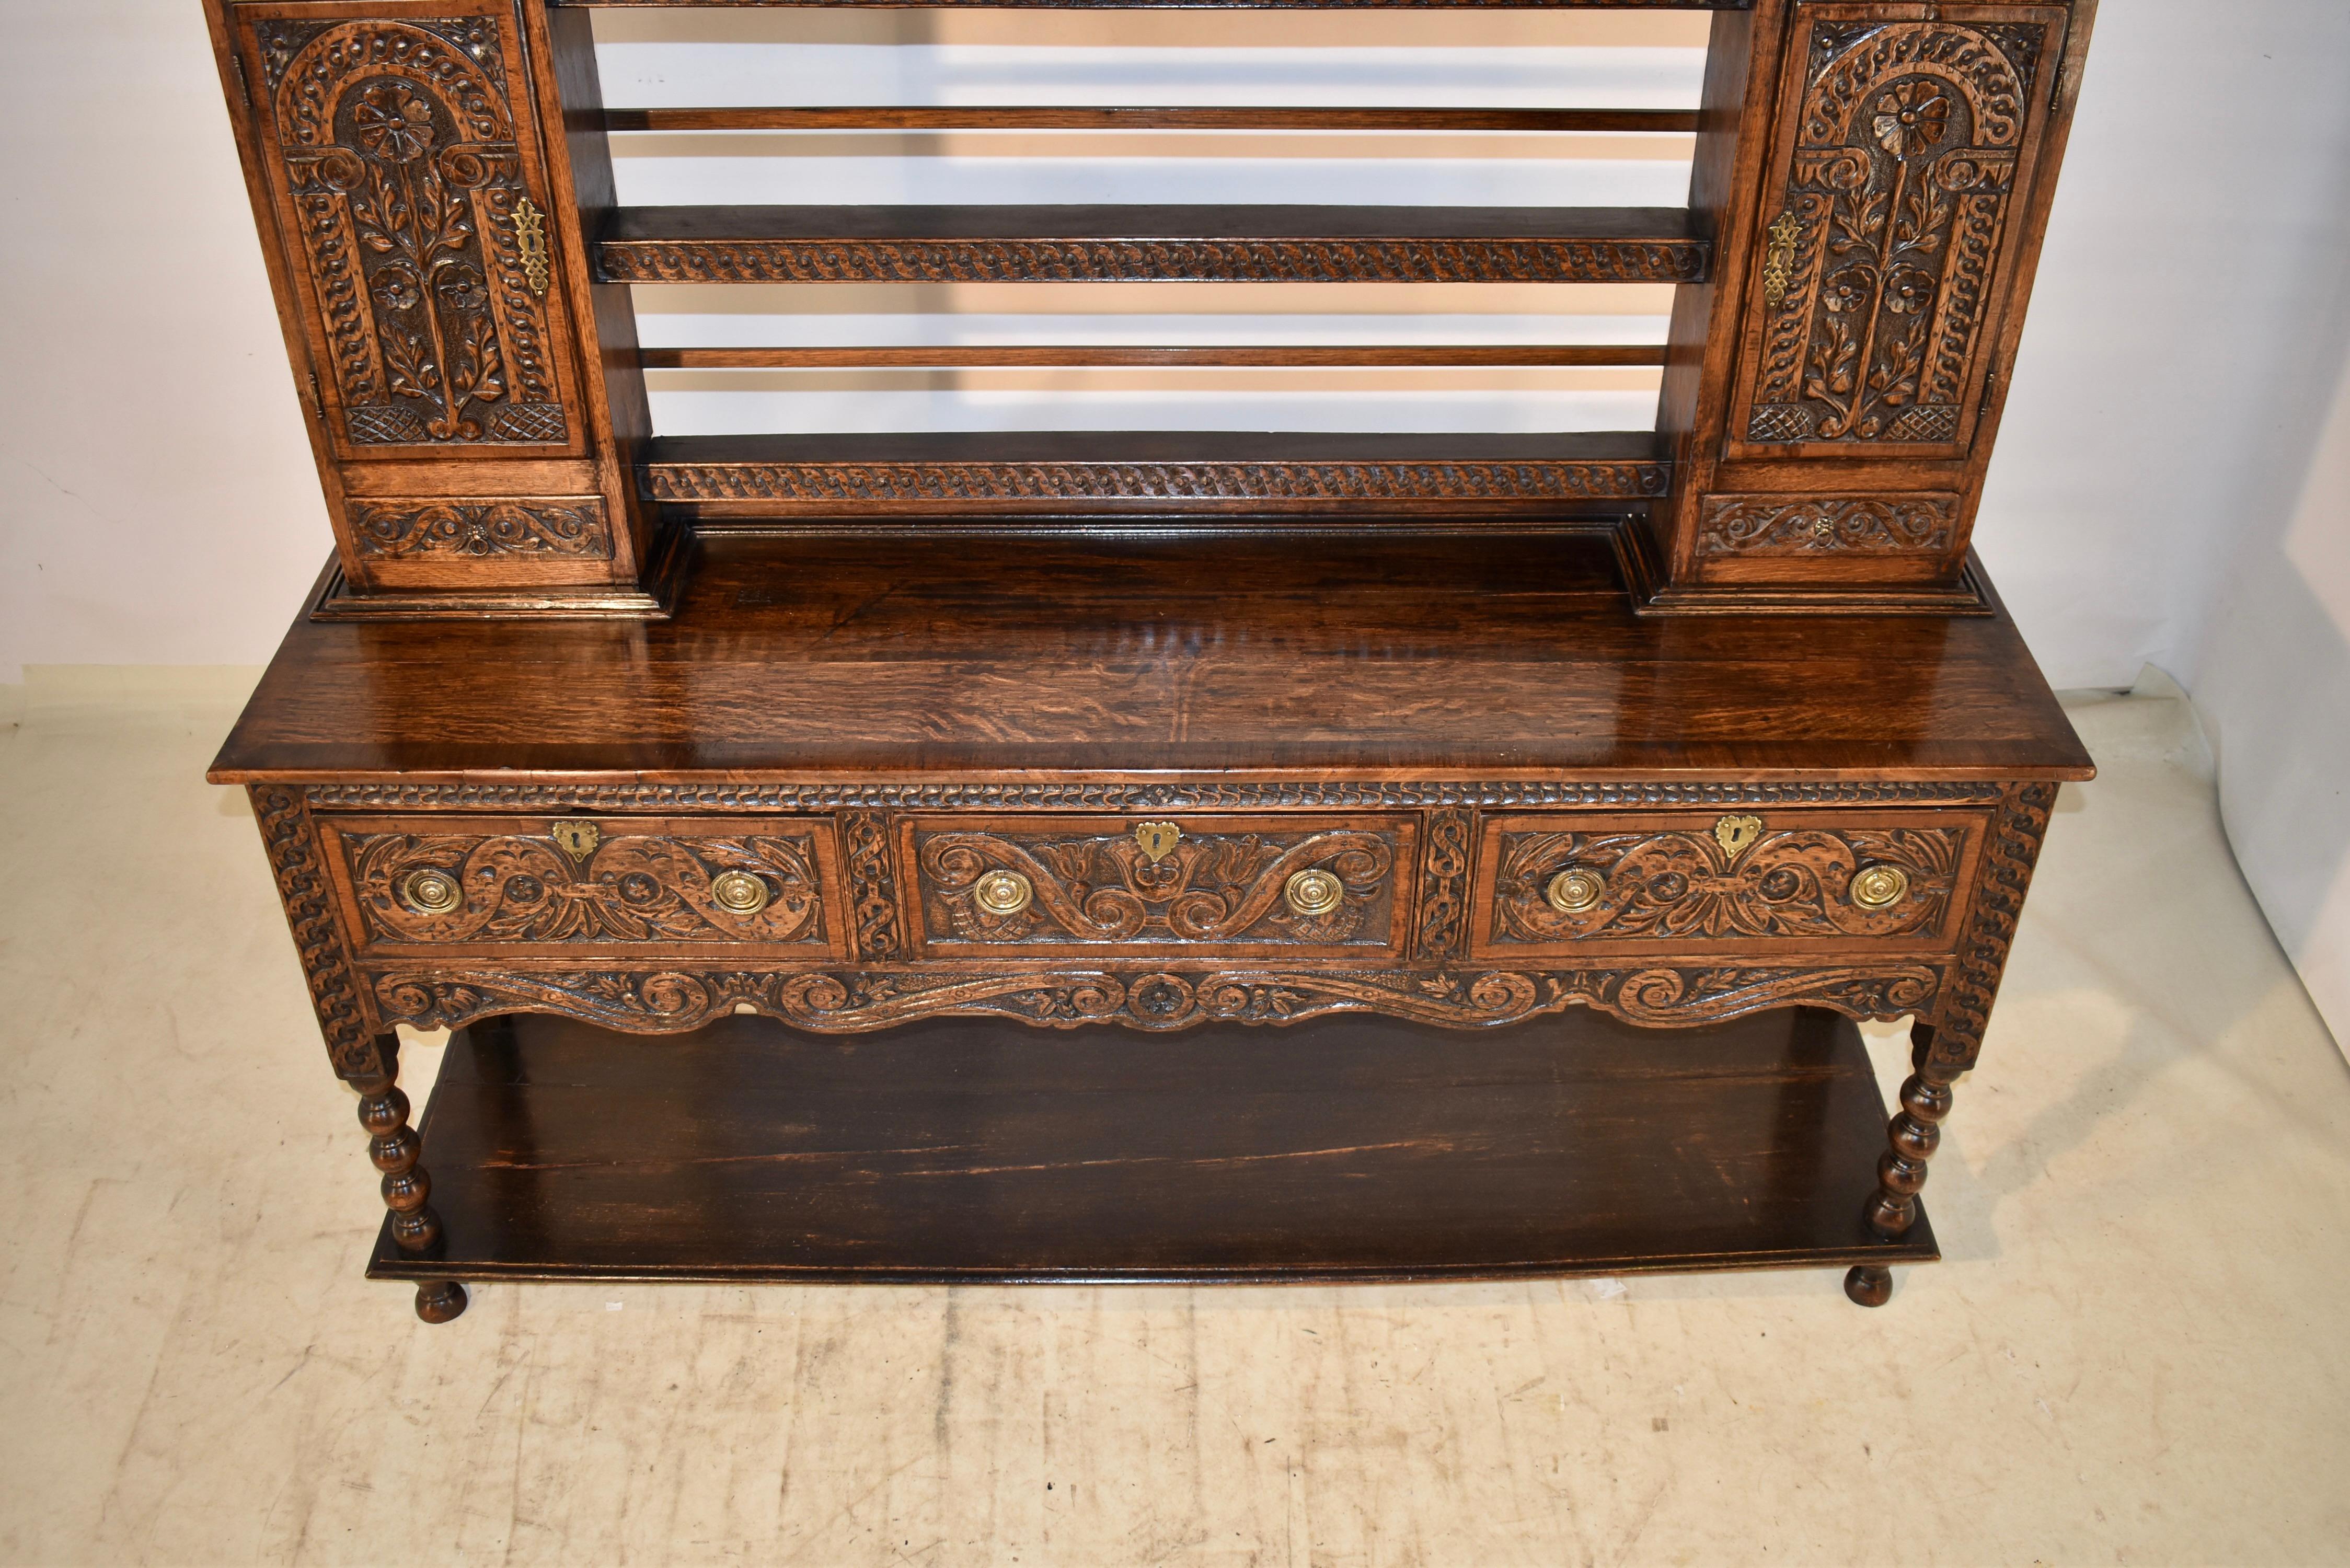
(1049, 119)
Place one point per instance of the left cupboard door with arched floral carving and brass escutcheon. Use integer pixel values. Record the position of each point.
(403, 166)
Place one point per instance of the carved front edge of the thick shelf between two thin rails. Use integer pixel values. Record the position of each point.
(1153, 260)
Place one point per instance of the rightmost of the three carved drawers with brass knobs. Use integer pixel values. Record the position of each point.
(1743, 883)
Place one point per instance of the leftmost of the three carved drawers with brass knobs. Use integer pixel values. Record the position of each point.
(586, 885)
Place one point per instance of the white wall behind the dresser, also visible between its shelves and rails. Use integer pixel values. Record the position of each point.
(2170, 485)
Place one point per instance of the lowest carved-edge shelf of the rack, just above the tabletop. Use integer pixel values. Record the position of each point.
(1153, 471)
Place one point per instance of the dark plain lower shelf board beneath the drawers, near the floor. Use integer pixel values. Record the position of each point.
(986, 1151)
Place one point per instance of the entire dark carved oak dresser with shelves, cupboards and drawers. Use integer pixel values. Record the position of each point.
(1150, 855)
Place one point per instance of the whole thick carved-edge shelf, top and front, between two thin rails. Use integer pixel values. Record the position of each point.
(1153, 246)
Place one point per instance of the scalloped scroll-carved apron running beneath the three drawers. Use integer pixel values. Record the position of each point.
(676, 1000)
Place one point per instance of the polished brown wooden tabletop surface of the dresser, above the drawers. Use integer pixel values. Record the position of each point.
(1049, 659)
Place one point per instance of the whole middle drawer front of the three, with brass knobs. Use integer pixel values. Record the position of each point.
(1186, 885)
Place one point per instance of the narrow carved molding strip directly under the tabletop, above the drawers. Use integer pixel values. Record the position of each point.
(1197, 796)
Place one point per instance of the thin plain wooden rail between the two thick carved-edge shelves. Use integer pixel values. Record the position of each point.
(1148, 356)
